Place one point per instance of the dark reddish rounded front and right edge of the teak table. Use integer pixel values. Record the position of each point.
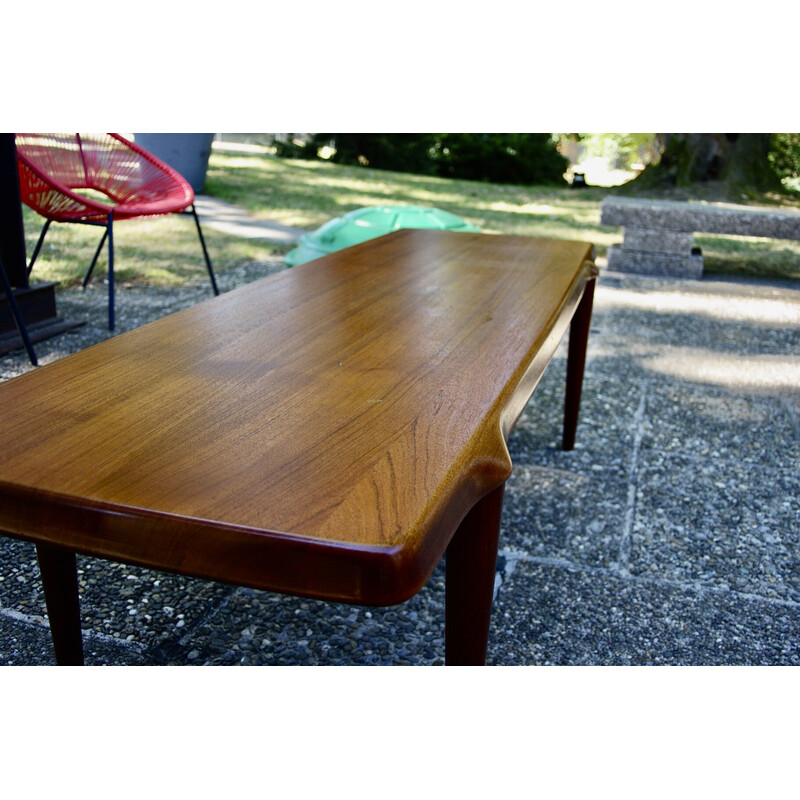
(259, 558)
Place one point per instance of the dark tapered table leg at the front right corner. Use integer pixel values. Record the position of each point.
(470, 564)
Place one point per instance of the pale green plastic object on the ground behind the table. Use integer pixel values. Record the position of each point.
(367, 223)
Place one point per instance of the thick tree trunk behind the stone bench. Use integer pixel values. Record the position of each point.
(738, 161)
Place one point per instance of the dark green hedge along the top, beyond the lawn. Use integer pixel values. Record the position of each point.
(505, 158)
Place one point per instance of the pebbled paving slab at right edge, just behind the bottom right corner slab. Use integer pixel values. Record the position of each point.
(717, 523)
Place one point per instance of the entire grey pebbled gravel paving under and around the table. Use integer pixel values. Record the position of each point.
(670, 535)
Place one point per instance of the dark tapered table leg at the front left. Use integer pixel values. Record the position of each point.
(60, 581)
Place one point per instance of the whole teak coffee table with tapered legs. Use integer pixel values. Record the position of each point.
(330, 431)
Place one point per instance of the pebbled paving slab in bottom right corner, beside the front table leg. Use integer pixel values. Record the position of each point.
(558, 614)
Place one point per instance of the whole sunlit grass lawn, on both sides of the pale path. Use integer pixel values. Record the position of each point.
(165, 251)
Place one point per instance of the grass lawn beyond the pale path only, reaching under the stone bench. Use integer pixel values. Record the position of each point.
(309, 193)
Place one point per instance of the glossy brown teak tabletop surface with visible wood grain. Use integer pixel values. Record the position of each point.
(359, 399)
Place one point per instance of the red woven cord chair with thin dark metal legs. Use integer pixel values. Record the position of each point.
(97, 179)
